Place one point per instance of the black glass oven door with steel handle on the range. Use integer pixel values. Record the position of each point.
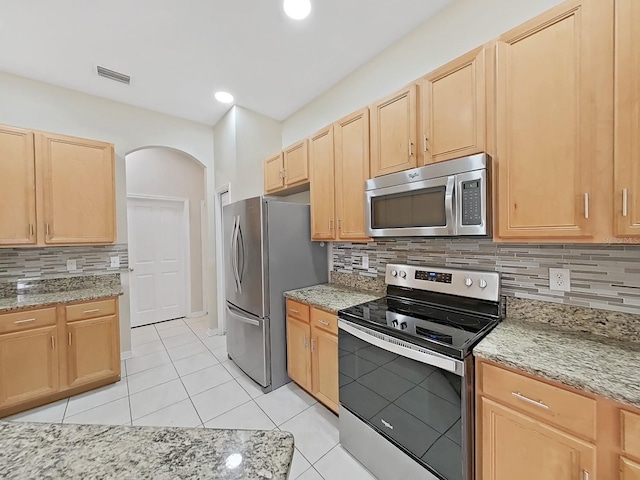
(420, 401)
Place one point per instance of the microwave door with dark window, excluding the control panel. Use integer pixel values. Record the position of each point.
(416, 209)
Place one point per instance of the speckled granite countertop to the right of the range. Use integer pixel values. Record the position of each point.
(588, 362)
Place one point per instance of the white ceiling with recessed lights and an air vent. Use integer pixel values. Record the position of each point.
(179, 53)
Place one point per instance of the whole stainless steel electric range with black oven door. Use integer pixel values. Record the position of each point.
(406, 372)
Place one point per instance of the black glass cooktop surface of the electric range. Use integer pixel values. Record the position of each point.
(450, 330)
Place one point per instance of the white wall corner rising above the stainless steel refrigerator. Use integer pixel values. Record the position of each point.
(243, 139)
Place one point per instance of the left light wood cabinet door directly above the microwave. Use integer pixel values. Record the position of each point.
(393, 133)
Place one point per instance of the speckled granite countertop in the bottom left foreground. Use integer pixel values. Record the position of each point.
(92, 452)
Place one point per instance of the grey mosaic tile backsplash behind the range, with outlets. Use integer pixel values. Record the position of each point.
(602, 276)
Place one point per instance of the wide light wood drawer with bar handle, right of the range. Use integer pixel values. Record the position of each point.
(557, 406)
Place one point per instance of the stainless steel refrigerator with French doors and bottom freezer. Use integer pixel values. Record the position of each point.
(268, 250)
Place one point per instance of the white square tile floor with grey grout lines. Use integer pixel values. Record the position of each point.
(181, 377)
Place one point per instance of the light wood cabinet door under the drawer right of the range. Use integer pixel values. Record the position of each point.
(517, 446)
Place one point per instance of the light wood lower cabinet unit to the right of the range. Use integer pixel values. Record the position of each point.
(528, 428)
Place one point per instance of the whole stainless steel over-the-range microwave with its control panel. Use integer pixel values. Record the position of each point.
(446, 199)
